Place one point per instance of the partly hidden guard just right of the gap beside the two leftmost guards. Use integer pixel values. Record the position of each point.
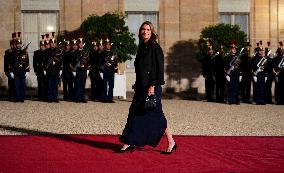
(38, 61)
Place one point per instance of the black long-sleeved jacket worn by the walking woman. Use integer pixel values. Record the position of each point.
(149, 64)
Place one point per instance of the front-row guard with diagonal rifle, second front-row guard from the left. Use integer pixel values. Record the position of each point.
(53, 67)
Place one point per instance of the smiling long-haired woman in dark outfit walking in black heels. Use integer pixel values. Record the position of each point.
(146, 126)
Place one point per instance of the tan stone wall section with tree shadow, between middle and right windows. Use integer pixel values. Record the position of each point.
(180, 26)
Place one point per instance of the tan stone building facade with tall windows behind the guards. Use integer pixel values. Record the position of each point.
(178, 22)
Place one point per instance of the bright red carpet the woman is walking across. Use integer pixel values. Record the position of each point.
(96, 153)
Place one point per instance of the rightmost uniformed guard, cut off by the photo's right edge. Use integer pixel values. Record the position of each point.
(278, 69)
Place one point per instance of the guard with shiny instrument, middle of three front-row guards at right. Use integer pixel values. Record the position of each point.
(259, 69)
